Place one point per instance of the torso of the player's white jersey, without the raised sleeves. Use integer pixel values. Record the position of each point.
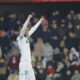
(24, 47)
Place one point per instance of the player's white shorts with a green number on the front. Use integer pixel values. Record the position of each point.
(26, 71)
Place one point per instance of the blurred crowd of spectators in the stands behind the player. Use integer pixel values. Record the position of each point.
(55, 46)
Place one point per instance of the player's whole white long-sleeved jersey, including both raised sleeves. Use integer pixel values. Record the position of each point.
(23, 42)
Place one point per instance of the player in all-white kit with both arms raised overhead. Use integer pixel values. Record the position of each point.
(25, 66)
